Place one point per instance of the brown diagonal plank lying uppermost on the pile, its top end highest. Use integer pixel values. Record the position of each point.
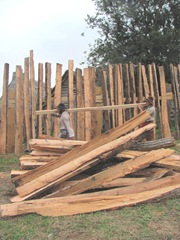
(86, 148)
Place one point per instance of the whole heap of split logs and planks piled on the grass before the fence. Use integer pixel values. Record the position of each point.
(64, 177)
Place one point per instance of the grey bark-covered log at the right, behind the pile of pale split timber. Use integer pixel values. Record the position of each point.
(152, 145)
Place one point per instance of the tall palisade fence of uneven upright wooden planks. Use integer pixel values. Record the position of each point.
(97, 100)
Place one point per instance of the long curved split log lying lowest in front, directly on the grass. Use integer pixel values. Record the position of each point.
(81, 204)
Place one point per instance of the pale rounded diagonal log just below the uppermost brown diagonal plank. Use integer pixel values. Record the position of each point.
(59, 174)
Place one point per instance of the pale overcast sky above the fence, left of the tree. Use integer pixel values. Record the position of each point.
(51, 28)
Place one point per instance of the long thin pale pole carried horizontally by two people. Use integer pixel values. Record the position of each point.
(38, 112)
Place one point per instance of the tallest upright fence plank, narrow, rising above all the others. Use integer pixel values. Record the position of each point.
(33, 102)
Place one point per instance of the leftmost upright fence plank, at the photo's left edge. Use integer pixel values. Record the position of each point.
(4, 111)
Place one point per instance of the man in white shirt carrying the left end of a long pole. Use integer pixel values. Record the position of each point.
(66, 130)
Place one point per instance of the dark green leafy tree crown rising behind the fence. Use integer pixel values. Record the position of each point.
(136, 31)
